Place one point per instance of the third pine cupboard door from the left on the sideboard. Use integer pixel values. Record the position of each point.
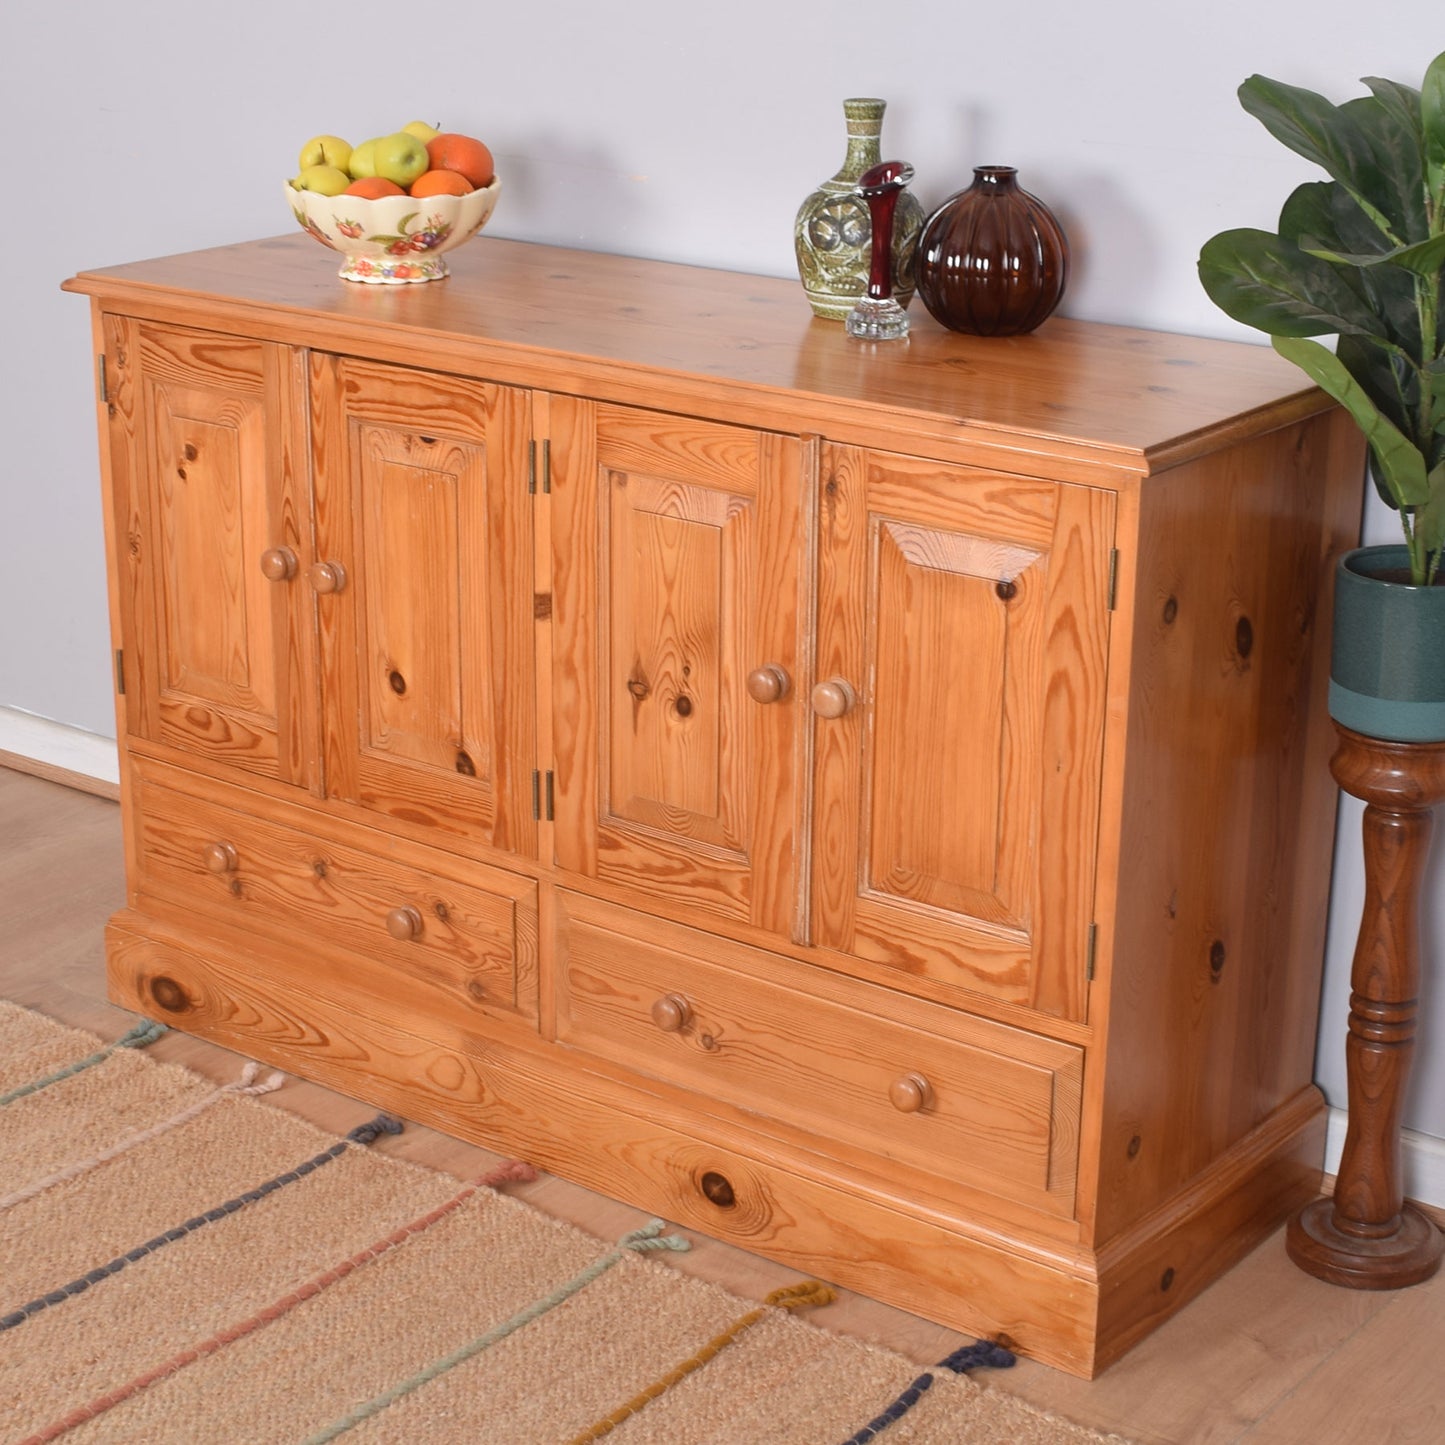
(677, 651)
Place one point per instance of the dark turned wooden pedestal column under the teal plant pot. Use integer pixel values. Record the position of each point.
(1368, 1238)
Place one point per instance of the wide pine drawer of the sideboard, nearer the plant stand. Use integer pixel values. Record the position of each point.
(962, 1097)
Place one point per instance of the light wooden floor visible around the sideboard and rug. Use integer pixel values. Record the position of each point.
(1267, 1356)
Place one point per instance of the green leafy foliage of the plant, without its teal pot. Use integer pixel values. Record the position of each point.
(1359, 256)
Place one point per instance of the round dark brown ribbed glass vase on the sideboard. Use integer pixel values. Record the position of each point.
(992, 261)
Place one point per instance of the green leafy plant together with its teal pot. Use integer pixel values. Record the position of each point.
(1362, 256)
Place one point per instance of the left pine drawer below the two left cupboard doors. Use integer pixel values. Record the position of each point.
(467, 944)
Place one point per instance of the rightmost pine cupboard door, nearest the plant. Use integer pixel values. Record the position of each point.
(963, 621)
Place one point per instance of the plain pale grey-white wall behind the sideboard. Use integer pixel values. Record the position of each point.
(648, 128)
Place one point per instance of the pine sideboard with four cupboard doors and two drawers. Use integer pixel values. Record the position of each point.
(865, 803)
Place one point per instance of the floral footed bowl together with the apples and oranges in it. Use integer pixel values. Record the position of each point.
(394, 204)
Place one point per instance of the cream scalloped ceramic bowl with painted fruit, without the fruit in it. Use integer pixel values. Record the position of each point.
(395, 239)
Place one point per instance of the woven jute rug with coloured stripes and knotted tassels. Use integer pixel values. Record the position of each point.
(190, 1264)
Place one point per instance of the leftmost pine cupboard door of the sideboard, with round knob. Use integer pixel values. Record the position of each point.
(209, 478)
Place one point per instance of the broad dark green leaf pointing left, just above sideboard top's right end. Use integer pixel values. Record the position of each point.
(1269, 284)
